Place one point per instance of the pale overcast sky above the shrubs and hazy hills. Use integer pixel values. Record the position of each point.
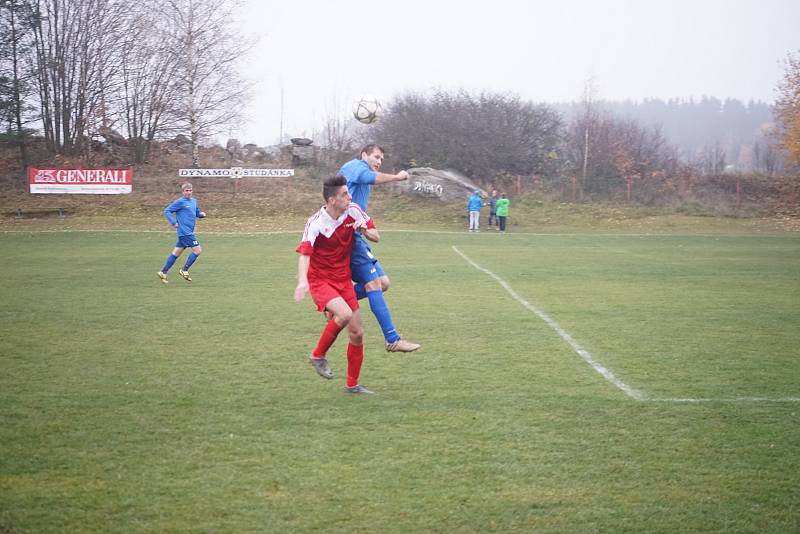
(321, 54)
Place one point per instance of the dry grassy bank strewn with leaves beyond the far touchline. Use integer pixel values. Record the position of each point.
(283, 205)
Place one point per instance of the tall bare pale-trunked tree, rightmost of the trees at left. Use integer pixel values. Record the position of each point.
(209, 91)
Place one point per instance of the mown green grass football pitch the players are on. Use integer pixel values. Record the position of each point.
(129, 406)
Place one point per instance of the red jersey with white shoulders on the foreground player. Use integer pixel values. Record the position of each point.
(329, 242)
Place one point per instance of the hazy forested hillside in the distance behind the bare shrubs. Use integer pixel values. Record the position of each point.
(695, 127)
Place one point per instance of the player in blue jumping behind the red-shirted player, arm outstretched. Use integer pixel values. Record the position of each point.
(370, 279)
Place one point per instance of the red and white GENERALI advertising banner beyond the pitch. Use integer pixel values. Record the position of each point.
(81, 181)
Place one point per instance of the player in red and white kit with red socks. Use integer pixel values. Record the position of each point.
(324, 271)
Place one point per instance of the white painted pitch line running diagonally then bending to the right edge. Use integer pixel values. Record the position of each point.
(587, 357)
